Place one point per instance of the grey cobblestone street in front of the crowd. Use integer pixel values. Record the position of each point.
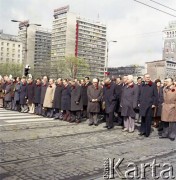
(54, 150)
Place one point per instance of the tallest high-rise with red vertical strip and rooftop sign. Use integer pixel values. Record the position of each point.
(75, 36)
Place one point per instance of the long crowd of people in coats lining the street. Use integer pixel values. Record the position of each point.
(120, 99)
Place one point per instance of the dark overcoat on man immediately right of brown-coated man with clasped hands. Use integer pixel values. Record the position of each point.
(110, 97)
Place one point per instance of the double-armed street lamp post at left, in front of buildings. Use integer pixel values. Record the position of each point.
(26, 25)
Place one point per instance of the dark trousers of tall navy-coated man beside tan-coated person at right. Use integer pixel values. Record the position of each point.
(146, 125)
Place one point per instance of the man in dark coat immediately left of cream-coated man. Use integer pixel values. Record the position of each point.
(43, 92)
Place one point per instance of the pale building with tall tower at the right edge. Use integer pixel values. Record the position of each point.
(165, 68)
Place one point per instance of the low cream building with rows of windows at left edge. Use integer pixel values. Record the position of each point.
(10, 49)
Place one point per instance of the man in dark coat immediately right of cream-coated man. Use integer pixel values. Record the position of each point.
(57, 98)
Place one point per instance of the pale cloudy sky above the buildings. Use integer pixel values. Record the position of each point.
(136, 28)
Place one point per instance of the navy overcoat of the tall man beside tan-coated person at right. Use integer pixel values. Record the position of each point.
(148, 96)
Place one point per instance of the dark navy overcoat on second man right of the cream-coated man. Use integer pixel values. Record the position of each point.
(66, 98)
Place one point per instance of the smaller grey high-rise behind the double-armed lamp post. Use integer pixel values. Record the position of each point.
(37, 48)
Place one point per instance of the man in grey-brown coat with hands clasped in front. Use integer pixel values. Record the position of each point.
(95, 94)
